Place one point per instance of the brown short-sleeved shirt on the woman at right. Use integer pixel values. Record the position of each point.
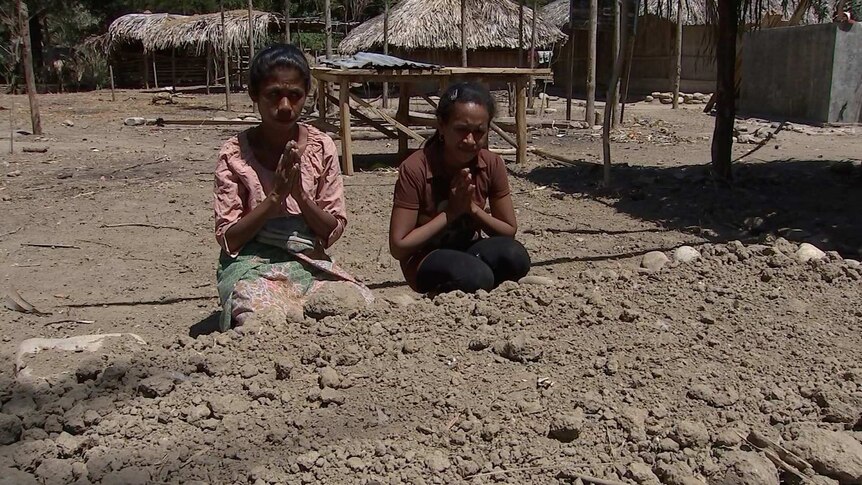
(424, 185)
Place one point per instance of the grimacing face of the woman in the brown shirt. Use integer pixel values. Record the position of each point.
(465, 133)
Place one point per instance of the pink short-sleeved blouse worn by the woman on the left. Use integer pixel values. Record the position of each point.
(241, 183)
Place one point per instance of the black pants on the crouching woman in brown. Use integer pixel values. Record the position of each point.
(484, 265)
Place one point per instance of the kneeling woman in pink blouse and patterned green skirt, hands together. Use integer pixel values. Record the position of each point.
(278, 198)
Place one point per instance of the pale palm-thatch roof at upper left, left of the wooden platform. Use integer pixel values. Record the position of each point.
(166, 31)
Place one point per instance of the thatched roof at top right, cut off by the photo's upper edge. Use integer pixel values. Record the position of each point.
(695, 12)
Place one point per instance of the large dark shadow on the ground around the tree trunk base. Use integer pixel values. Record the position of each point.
(804, 201)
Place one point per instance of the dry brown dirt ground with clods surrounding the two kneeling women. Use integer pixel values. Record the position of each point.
(617, 363)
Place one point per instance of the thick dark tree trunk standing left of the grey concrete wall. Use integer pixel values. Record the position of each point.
(722, 138)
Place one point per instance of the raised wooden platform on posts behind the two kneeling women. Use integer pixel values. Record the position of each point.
(405, 77)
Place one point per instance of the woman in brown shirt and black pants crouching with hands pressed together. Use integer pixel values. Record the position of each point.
(438, 213)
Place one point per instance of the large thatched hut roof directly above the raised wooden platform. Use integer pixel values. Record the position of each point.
(436, 24)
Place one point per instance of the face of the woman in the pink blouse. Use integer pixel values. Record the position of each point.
(281, 97)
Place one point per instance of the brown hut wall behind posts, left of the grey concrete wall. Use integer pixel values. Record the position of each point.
(652, 62)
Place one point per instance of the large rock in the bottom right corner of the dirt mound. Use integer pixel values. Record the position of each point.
(835, 454)
